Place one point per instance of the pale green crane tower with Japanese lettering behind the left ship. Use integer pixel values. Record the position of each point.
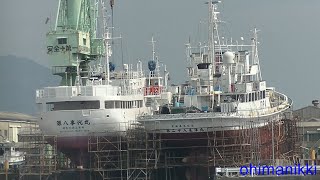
(73, 42)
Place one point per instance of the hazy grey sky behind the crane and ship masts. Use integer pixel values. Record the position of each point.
(288, 38)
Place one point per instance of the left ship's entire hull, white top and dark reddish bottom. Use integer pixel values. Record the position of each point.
(73, 128)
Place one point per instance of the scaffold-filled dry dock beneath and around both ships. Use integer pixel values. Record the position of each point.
(138, 154)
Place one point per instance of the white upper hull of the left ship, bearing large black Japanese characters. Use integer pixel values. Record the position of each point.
(72, 123)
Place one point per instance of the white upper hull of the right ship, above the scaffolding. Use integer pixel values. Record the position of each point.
(205, 122)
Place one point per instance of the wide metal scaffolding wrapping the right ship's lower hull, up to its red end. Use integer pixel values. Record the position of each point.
(137, 154)
